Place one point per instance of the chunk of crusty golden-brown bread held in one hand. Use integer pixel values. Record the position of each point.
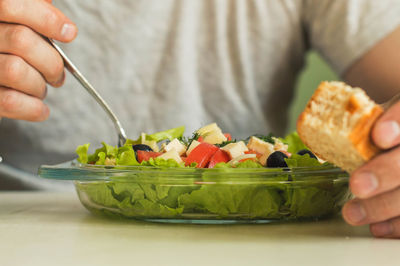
(336, 125)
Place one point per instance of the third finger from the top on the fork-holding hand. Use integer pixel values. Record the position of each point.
(17, 74)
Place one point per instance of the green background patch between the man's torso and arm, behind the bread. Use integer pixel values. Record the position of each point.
(316, 70)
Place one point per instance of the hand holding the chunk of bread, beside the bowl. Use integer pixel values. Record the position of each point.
(376, 185)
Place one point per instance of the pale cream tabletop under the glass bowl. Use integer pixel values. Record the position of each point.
(54, 229)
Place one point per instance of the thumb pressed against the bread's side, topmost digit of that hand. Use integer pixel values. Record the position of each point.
(386, 133)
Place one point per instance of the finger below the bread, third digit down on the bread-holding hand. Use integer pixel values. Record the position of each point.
(373, 210)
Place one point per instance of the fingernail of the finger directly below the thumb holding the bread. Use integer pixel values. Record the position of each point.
(363, 184)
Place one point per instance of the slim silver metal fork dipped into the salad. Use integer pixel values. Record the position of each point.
(85, 83)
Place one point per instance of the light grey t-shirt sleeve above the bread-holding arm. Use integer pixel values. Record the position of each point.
(344, 30)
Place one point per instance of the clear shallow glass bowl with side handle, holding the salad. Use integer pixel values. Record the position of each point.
(224, 195)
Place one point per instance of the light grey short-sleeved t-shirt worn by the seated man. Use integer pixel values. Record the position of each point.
(162, 64)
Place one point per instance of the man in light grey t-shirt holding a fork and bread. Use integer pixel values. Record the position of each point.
(160, 64)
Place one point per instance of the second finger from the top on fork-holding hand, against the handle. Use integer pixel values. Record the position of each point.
(22, 41)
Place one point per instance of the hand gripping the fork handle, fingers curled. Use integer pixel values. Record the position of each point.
(27, 61)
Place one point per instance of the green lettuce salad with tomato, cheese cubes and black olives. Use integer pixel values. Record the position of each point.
(263, 177)
